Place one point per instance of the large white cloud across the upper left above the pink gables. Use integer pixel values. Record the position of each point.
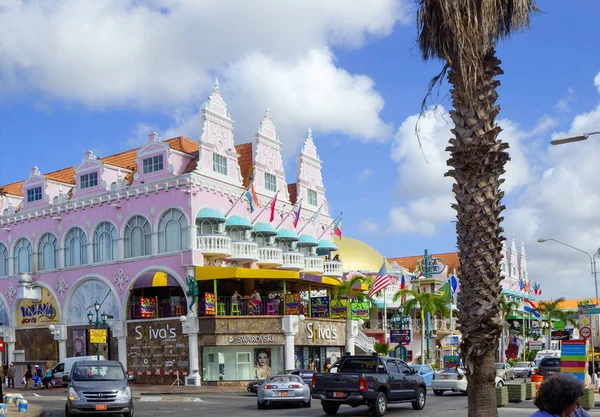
(164, 54)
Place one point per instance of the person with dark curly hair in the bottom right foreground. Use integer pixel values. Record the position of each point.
(559, 396)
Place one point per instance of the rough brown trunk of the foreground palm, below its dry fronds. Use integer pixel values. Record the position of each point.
(477, 160)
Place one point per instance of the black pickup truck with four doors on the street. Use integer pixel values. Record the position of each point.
(369, 380)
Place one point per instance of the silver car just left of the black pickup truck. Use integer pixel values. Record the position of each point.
(283, 389)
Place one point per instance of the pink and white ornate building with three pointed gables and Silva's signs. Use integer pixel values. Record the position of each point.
(159, 241)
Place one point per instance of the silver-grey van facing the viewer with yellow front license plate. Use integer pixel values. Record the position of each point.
(98, 387)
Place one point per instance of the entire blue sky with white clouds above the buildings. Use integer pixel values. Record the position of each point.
(75, 77)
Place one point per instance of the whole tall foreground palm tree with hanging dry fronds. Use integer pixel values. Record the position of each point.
(463, 34)
